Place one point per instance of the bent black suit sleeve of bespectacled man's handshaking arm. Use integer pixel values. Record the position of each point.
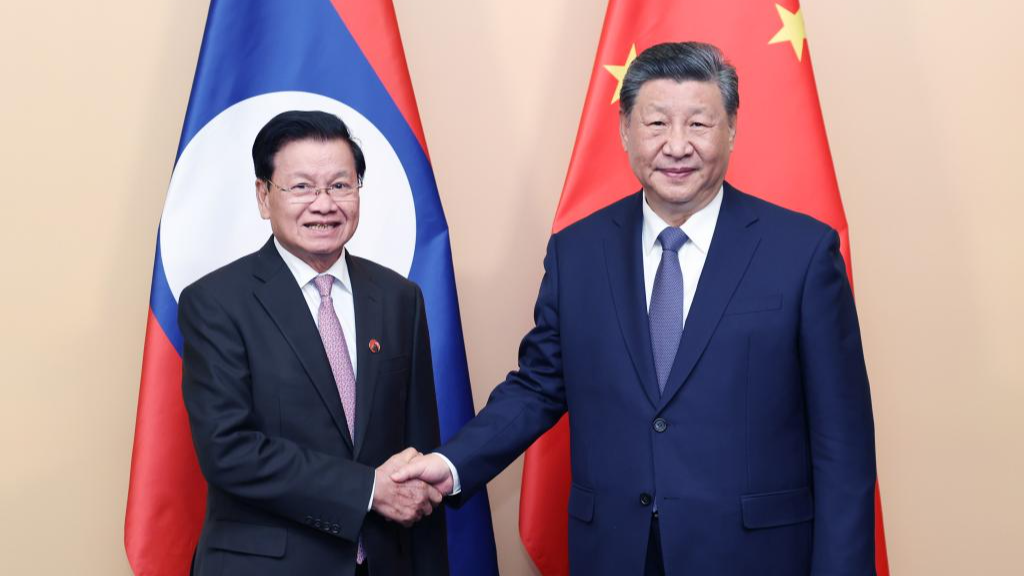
(235, 454)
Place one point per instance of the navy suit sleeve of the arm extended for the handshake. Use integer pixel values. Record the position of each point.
(526, 405)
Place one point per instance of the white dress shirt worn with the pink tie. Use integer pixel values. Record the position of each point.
(342, 297)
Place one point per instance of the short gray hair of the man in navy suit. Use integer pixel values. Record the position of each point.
(681, 62)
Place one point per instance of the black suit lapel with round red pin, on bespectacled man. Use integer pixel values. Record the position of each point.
(369, 325)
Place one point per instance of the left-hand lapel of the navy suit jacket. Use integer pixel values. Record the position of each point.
(625, 265)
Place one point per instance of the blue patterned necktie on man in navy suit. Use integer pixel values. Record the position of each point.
(666, 311)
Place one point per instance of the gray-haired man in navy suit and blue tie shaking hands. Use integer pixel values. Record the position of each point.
(706, 347)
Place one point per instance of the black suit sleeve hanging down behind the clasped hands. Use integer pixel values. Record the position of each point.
(430, 541)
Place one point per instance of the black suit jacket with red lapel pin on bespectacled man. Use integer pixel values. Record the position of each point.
(288, 489)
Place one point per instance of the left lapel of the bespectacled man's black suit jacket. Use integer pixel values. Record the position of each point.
(282, 299)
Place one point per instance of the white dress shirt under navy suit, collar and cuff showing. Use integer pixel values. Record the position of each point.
(700, 229)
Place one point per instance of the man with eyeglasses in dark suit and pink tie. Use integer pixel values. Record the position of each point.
(306, 369)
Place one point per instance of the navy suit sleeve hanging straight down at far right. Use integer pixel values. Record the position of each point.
(842, 430)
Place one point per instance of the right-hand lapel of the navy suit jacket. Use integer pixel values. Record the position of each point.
(733, 248)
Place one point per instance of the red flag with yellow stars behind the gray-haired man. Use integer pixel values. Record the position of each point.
(782, 155)
